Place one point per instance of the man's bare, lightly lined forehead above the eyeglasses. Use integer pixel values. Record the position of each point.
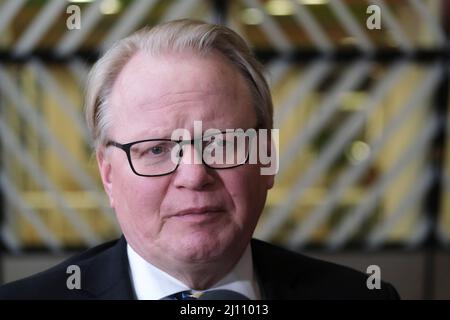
(154, 94)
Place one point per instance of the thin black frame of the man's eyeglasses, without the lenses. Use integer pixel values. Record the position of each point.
(126, 147)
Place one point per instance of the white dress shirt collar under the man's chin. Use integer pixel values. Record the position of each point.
(151, 283)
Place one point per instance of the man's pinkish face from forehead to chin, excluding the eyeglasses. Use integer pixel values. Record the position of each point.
(151, 97)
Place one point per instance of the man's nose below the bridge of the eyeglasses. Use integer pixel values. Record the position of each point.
(192, 173)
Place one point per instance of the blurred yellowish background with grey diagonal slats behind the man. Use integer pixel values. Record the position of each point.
(360, 91)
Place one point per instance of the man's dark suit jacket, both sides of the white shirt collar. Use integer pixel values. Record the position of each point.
(282, 274)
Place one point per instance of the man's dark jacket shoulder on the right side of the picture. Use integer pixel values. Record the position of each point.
(297, 276)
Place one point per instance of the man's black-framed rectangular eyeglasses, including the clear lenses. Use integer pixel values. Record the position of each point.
(159, 157)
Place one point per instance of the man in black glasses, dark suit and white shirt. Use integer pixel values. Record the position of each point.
(187, 221)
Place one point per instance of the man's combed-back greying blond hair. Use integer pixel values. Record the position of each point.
(173, 37)
